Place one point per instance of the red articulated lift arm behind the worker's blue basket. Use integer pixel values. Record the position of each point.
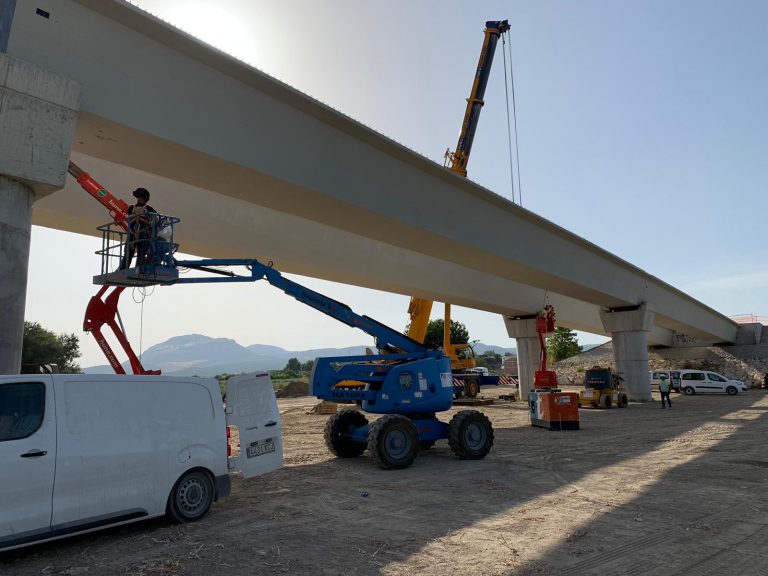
(100, 310)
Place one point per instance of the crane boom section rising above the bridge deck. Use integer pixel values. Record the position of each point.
(460, 158)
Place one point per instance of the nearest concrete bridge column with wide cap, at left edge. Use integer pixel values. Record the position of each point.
(38, 111)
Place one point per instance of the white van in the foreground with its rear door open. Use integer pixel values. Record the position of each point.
(81, 452)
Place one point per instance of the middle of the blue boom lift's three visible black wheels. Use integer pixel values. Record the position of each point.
(393, 442)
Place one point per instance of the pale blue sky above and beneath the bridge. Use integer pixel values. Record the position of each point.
(642, 128)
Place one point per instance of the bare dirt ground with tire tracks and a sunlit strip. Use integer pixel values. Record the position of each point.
(635, 491)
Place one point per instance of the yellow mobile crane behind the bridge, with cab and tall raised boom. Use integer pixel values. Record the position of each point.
(462, 356)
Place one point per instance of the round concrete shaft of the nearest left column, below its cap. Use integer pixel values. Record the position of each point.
(15, 225)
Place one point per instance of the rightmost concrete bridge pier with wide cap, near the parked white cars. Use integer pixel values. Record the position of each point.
(629, 332)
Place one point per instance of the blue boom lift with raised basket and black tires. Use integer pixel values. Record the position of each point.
(406, 382)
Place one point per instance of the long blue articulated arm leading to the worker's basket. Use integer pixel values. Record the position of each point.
(387, 339)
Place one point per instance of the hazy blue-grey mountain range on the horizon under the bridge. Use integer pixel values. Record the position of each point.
(200, 355)
